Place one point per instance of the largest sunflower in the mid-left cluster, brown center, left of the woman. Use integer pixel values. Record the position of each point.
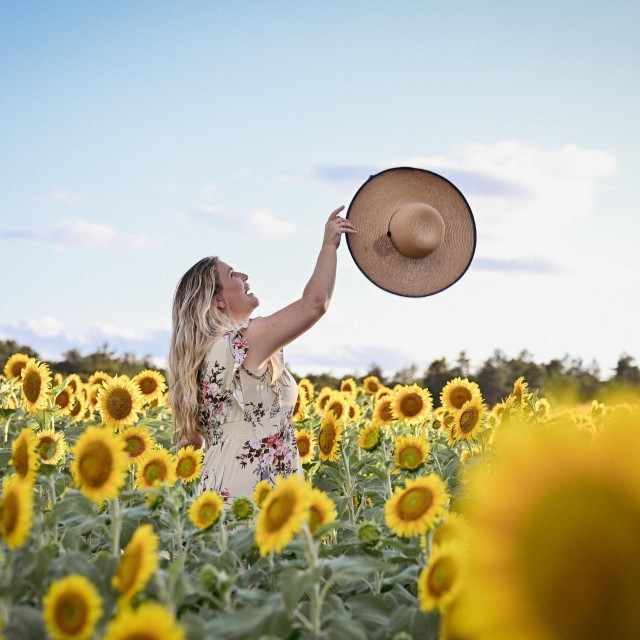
(99, 465)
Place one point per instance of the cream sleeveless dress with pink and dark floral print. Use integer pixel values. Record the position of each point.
(246, 420)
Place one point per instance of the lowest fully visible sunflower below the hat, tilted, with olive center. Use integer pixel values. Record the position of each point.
(414, 509)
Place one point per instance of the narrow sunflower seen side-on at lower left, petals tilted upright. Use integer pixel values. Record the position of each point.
(137, 564)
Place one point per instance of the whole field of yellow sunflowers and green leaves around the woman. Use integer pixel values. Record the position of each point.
(462, 521)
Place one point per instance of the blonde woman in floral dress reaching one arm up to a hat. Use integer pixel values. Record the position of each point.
(229, 390)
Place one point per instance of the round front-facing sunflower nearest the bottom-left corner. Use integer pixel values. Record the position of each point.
(72, 606)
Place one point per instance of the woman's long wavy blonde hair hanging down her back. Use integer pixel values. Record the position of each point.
(196, 324)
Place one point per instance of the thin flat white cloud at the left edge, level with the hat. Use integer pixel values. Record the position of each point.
(77, 232)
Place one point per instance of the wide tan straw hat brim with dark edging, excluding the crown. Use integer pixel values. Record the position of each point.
(375, 254)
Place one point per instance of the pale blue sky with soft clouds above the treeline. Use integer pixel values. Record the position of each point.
(137, 138)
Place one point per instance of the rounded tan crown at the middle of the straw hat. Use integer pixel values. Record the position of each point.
(416, 229)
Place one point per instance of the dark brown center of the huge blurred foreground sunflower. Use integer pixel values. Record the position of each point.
(581, 574)
